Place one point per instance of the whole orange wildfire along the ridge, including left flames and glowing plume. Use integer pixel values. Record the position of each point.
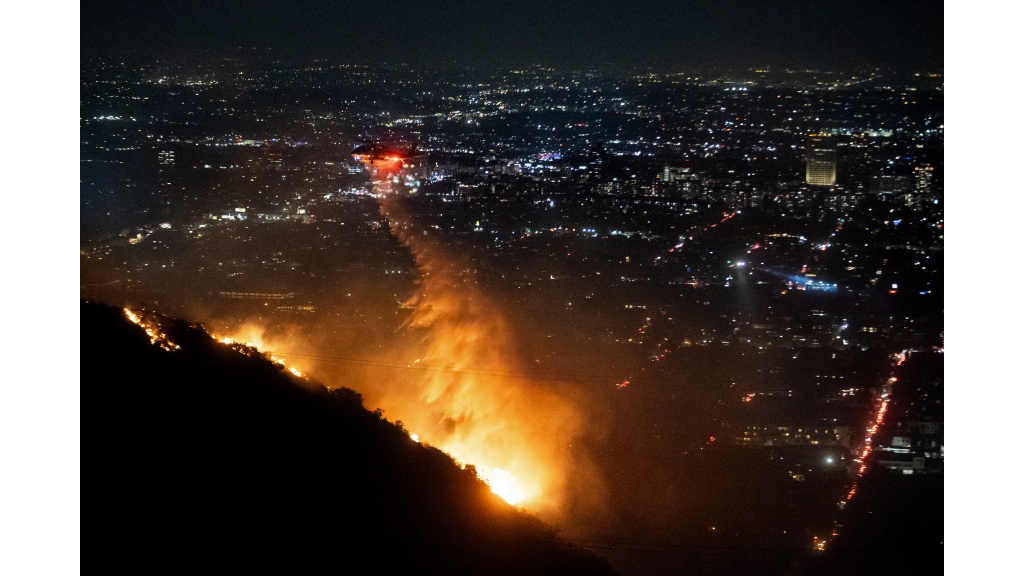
(492, 426)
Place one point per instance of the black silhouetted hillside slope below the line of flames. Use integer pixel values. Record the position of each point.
(209, 460)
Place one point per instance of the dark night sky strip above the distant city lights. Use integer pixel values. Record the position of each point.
(906, 35)
